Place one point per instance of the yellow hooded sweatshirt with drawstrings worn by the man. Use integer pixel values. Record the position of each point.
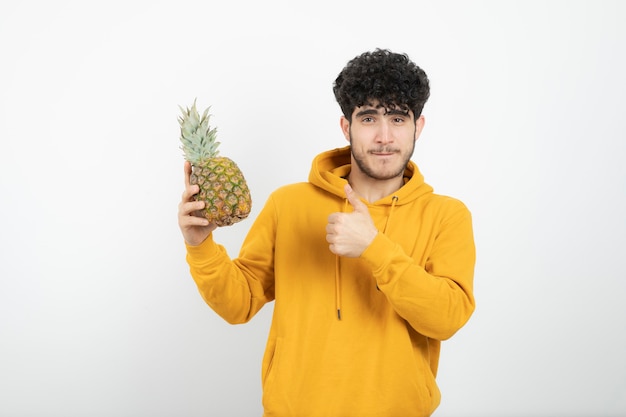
(410, 289)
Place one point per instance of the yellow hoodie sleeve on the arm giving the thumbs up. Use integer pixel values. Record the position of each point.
(435, 298)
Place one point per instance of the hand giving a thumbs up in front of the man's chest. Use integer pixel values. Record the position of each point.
(349, 234)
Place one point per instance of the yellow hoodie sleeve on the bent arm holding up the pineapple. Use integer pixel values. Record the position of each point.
(236, 289)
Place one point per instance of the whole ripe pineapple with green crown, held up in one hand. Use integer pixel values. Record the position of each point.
(222, 185)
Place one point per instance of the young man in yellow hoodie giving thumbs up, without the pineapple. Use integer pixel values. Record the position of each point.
(368, 268)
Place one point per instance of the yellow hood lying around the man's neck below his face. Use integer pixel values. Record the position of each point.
(330, 168)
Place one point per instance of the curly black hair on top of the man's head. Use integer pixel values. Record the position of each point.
(382, 76)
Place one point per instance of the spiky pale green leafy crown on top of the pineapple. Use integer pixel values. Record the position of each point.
(197, 137)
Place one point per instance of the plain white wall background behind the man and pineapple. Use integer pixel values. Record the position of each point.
(98, 313)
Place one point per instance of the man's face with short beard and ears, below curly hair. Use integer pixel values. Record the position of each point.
(382, 140)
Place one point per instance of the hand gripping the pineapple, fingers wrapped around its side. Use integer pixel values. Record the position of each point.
(195, 229)
